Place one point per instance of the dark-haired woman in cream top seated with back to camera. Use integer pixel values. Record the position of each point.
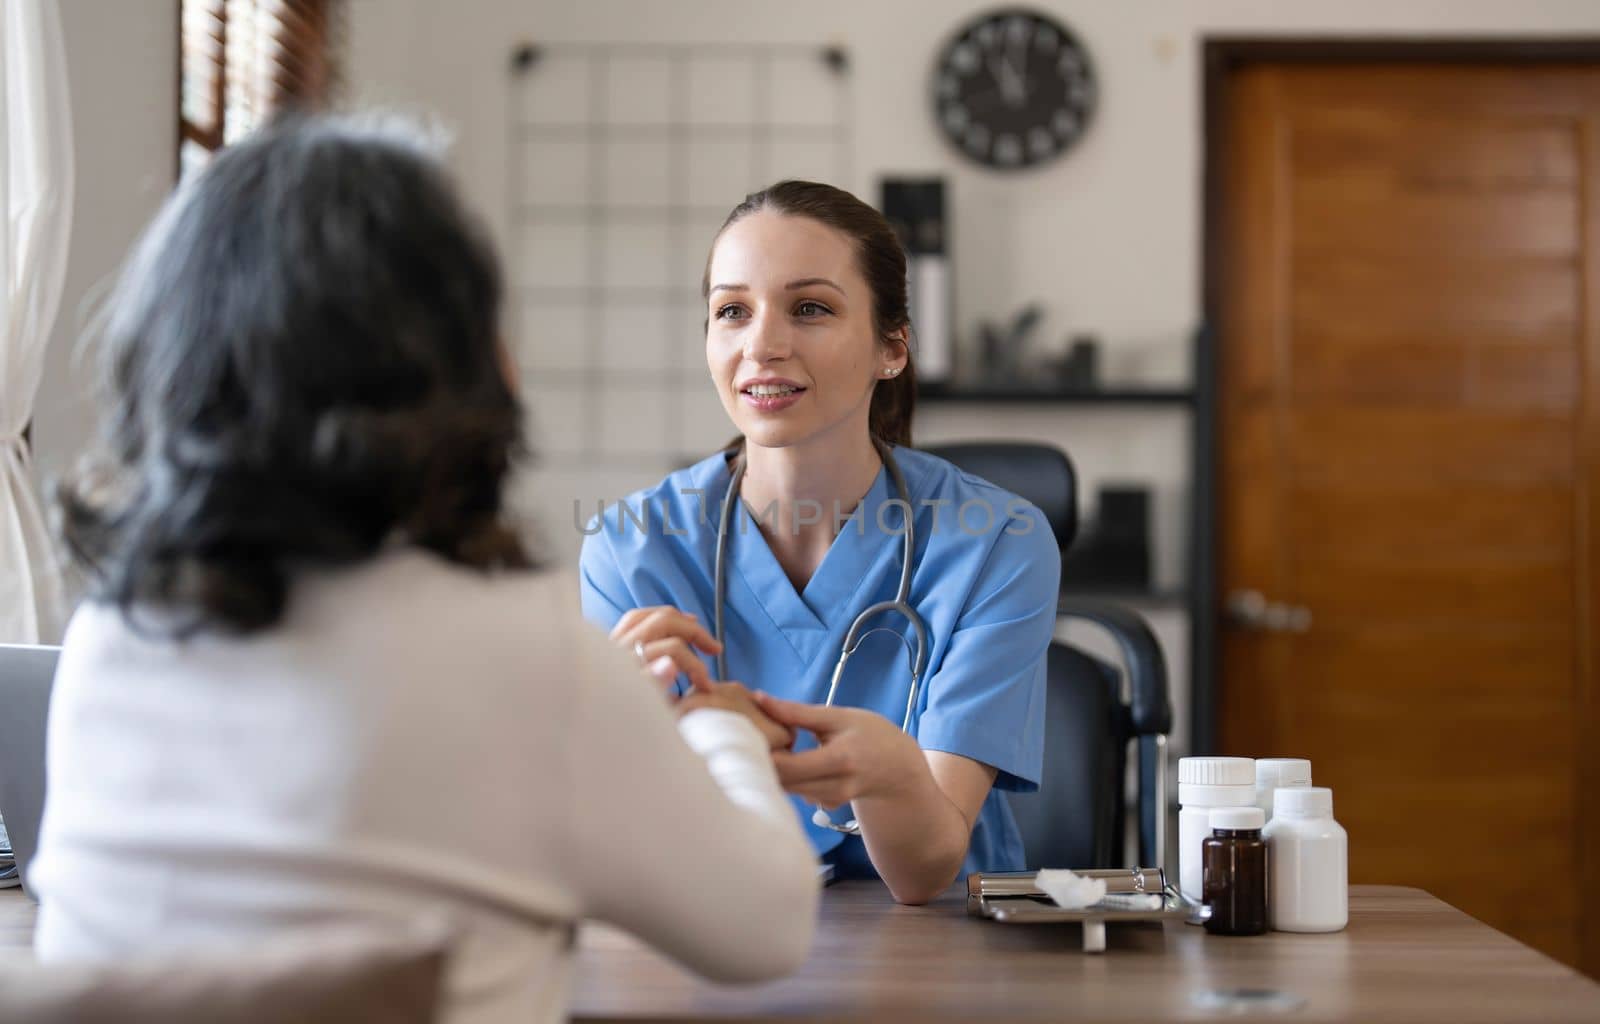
(318, 681)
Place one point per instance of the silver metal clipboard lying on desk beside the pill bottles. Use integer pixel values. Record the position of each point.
(1015, 898)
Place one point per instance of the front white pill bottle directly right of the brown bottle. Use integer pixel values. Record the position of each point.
(1308, 863)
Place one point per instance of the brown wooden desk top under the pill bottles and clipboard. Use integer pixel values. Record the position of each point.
(1406, 958)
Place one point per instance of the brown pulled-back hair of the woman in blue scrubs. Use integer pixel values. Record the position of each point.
(882, 263)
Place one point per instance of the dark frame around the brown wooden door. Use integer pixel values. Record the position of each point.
(1220, 60)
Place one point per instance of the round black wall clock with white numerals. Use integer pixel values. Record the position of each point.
(1014, 89)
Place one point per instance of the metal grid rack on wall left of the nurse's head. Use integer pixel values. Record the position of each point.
(625, 161)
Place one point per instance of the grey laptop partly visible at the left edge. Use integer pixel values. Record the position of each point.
(26, 674)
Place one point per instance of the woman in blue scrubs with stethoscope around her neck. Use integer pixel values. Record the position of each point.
(807, 343)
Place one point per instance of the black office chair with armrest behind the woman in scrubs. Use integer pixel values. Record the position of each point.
(1078, 817)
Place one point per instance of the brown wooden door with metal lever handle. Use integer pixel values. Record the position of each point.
(1409, 294)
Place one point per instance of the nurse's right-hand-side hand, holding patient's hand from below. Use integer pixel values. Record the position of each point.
(860, 753)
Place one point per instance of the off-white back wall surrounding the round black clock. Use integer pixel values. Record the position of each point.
(1108, 238)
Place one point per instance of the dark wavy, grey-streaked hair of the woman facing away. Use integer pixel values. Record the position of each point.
(303, 362)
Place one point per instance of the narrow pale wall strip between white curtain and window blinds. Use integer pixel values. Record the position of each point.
(122, 71)
